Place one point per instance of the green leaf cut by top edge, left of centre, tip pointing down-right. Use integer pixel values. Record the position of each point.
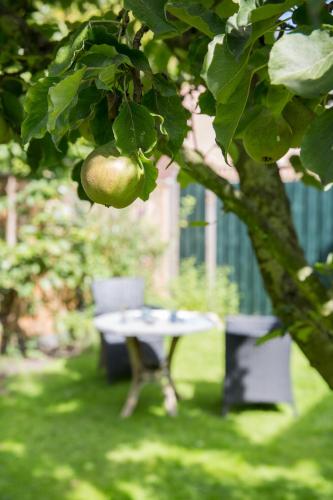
(152, 13)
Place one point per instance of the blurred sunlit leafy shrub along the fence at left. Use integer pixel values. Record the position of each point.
(62, 246)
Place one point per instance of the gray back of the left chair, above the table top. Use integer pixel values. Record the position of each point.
(117, 294)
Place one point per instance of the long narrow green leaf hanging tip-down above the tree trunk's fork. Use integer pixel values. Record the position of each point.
(228, 114)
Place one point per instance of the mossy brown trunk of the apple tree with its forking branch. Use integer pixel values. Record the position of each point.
(298, 297)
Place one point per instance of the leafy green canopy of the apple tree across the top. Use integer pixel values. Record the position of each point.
(263, 67)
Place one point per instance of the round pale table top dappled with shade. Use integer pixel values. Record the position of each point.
(155, 322)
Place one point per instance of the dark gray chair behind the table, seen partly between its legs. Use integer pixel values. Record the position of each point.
(118, 294)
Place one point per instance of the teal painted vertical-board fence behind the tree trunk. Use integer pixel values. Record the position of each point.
(313, 216)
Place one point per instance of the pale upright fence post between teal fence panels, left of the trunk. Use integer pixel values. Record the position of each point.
(210, 237)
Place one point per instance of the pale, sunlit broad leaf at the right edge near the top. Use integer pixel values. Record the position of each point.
(303, 63)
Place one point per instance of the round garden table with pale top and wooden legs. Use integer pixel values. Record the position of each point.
(145, 322)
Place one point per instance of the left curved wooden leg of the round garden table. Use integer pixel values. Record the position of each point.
(137, 367)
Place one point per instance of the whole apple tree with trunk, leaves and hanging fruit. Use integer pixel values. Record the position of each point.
(117, 80)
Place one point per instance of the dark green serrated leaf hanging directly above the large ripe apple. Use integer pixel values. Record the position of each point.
(134, 129)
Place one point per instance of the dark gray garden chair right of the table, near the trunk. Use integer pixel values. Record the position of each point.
(256, 373)
